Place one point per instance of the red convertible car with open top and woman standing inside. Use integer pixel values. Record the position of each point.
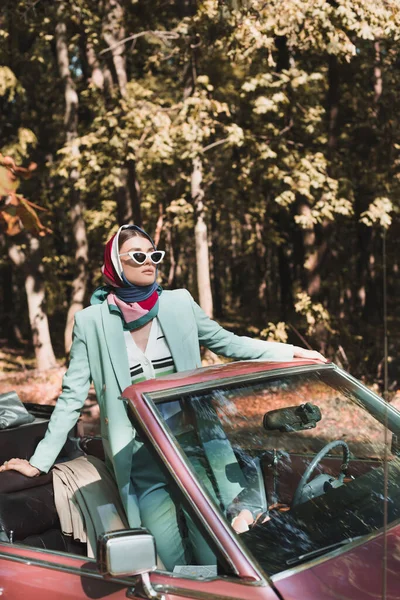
(306, 450)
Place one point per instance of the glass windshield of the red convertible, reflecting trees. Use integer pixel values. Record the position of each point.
(310, 474)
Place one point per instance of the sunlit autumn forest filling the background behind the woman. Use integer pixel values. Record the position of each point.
(257, 142)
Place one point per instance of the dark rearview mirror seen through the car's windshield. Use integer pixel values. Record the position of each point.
(292, 418)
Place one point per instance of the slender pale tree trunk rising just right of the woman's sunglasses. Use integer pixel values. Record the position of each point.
(201, 238)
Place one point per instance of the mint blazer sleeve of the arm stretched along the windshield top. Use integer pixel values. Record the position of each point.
(219, 340)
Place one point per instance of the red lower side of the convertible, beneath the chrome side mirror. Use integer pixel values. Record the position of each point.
(38, 574)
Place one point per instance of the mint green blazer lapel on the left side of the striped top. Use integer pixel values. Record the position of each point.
(114, 335)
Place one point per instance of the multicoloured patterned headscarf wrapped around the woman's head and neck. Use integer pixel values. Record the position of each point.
(136, 304)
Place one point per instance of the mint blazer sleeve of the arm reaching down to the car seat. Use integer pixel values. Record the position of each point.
(75, 388)
